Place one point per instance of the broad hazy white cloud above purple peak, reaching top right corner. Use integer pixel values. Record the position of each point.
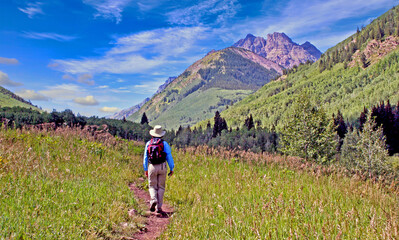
(305, 17)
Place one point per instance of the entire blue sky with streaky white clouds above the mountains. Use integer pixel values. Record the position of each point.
(96, 57)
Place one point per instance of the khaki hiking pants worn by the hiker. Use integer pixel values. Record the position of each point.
(156, 181)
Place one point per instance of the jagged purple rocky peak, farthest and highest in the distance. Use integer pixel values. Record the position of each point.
(280, 49)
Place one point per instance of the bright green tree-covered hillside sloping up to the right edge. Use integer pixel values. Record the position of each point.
(360, 71)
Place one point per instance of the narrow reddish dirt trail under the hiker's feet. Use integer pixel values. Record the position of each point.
(156, 223)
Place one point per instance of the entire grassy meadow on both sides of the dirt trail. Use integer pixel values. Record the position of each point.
(67, 185)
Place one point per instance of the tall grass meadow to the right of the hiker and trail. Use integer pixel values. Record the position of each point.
(224, 198)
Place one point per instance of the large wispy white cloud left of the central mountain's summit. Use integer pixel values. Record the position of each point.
(140, 52)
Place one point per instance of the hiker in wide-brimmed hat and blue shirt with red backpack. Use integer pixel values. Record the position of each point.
(157, 152)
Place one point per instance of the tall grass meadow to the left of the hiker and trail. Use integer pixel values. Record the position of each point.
(64, 185)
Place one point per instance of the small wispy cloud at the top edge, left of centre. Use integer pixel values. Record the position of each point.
(108, 9)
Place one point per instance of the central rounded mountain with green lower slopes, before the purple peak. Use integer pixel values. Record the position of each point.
(219, 79)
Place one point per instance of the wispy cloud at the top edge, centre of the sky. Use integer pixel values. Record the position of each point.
(215, 11)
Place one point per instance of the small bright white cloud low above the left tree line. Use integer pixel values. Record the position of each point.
(63, 91)
